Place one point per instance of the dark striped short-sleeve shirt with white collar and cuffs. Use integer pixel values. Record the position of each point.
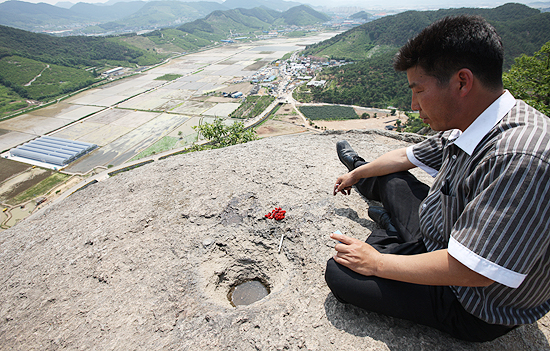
(489, 206)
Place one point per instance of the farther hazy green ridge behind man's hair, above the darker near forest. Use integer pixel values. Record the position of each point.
(523, 30)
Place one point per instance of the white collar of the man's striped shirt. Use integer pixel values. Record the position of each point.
(469, 139)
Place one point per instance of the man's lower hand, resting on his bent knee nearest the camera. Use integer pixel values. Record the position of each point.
(355, 254)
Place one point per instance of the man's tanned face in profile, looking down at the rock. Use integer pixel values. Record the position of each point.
(435, 102)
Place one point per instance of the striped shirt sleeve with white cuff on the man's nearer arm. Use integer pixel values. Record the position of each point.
(503, 230)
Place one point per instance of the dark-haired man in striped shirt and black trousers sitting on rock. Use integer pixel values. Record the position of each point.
(470, 255)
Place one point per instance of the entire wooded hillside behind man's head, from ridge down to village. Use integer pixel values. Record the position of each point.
(371, 81)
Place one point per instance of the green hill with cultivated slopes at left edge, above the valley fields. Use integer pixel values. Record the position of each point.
(58, 64)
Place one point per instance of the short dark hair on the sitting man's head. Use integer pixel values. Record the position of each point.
(453, 43)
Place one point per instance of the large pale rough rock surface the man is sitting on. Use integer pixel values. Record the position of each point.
(145, 260)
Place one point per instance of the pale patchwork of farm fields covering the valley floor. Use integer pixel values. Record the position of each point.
(127, 117)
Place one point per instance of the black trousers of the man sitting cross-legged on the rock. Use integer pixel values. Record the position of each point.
(435, 306)
